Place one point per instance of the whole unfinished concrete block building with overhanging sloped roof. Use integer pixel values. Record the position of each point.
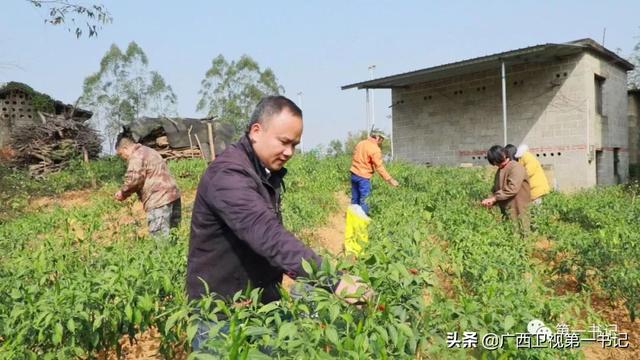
(567, 101)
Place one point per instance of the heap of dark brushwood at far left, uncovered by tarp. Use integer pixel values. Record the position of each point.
(50, 146)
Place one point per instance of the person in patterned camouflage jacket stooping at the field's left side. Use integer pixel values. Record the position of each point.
(148, 176)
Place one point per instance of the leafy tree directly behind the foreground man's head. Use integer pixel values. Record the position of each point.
(230, 90)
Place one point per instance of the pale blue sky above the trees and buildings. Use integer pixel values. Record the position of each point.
(312, 46)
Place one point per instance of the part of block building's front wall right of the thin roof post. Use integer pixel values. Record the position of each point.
(557, 135)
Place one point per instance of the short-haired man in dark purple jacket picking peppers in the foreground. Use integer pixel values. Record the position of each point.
(237, 238)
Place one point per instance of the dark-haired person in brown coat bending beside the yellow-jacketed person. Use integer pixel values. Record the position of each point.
(511, 190)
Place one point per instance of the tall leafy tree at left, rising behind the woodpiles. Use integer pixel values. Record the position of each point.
(124, 89)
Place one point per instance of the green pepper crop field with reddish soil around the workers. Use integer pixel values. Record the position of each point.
(78, 277)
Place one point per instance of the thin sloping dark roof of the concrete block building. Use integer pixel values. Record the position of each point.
(532, 54)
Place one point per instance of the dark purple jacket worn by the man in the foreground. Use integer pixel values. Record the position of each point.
(237, 238)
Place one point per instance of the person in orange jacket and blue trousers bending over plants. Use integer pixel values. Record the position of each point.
(367, 159)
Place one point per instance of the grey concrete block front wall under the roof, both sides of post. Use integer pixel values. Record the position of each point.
(456, 120)
